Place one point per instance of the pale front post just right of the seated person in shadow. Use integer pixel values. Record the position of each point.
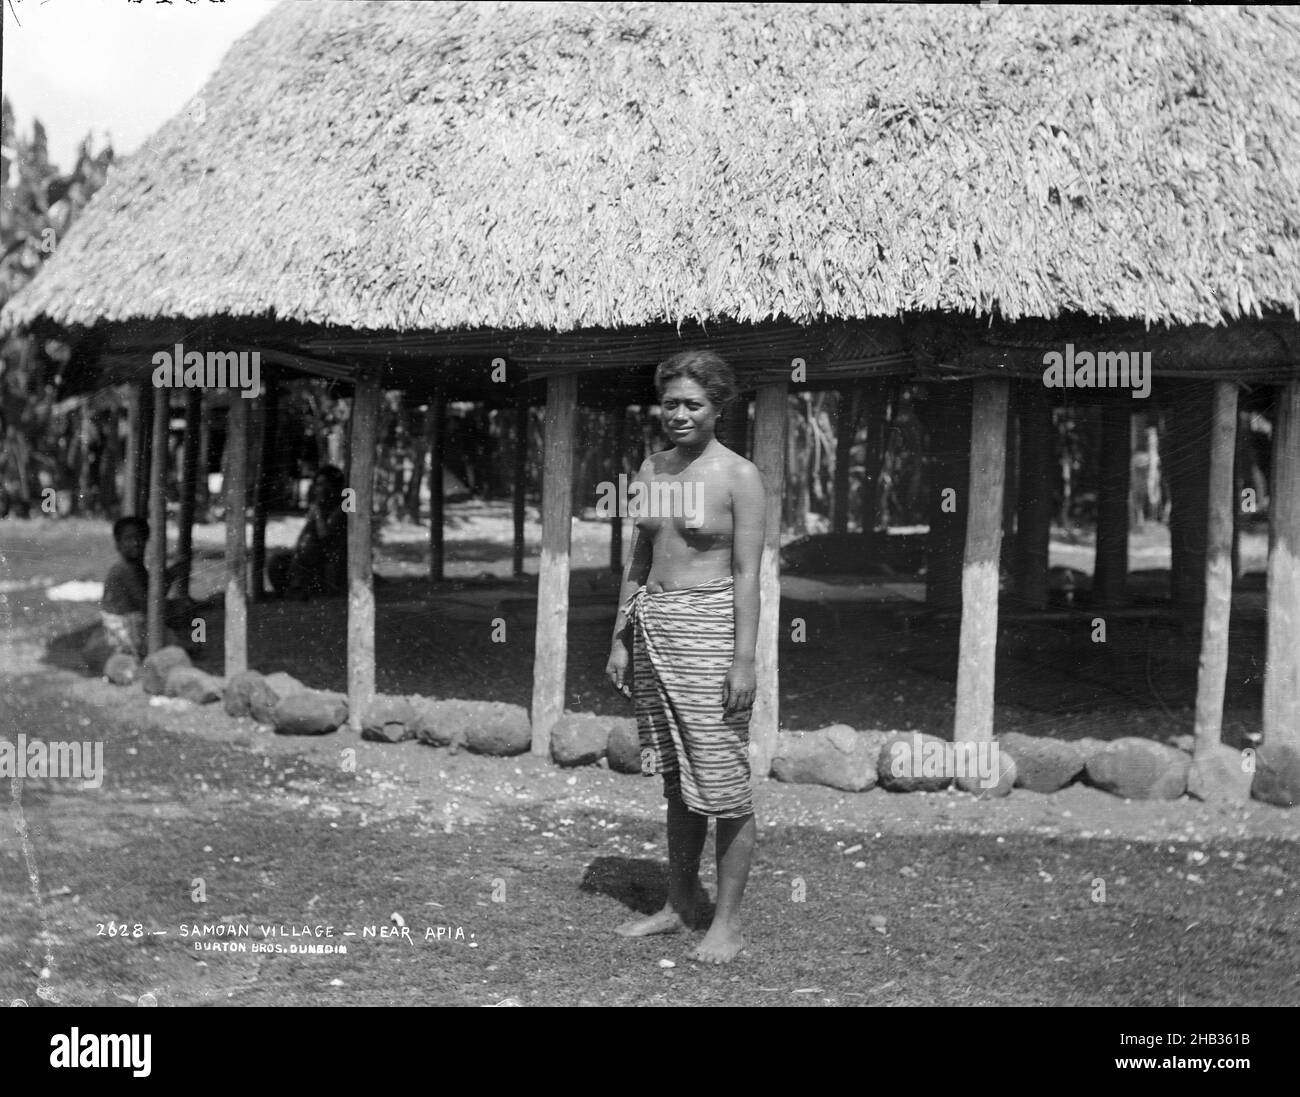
(361, 591)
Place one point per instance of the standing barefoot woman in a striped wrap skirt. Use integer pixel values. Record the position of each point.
(688, 622)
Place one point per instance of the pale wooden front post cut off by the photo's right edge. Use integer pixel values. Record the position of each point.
(1282, 667)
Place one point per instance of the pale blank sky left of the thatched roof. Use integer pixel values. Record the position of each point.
(112, 67)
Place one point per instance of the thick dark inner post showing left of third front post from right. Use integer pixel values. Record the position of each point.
(948, 419)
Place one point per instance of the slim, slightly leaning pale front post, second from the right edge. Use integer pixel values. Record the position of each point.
(1212, 673)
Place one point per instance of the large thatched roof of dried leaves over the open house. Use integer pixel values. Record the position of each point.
(411, 167)
